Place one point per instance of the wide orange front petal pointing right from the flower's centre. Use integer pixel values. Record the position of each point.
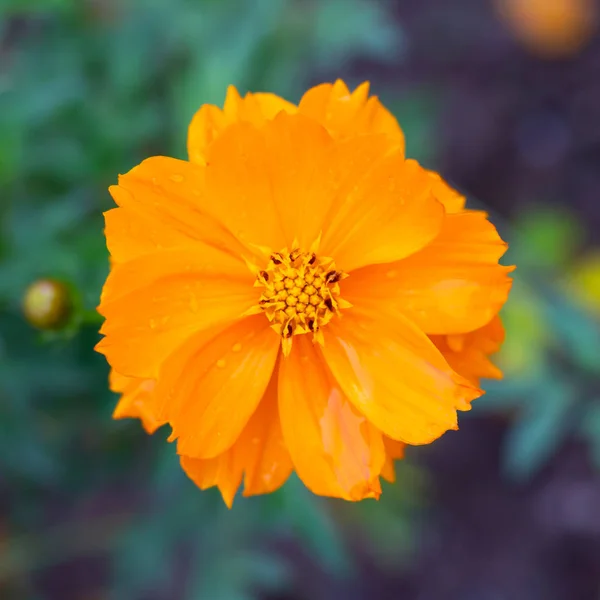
(453, 285)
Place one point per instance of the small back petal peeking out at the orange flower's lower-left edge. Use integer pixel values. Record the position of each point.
(135, 400)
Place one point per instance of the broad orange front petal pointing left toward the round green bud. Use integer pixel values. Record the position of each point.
(154, 302)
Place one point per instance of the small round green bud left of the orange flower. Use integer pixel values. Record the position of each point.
(47, 304)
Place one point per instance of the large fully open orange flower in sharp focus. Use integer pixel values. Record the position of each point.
(273, 296)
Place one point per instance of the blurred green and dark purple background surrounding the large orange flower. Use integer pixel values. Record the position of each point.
(507, 508)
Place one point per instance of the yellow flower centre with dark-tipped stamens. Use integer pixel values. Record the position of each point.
(301, 294)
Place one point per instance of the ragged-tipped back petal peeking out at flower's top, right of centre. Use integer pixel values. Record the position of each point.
(348, 114)
